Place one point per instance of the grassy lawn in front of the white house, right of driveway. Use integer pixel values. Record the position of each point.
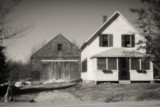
(116, 92)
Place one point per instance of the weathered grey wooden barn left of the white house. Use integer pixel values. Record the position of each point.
(59, 59)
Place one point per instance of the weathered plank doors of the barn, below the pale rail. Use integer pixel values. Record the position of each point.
(62, 71)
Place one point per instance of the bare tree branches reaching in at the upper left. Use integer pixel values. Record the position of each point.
(6, 30)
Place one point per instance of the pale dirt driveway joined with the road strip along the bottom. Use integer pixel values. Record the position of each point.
(66, 99)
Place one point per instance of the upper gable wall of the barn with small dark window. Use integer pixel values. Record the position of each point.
(50, 50)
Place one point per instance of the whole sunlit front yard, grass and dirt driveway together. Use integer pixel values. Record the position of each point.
(103, 95)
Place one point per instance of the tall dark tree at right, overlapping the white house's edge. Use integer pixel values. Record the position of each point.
(149, 22)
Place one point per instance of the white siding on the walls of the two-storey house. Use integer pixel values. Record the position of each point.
(118, 27)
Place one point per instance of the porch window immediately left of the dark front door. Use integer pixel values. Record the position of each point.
(112, 63)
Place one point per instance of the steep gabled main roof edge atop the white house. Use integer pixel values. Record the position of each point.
(105, 25)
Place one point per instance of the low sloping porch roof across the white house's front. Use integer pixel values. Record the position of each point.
(120, 52)
